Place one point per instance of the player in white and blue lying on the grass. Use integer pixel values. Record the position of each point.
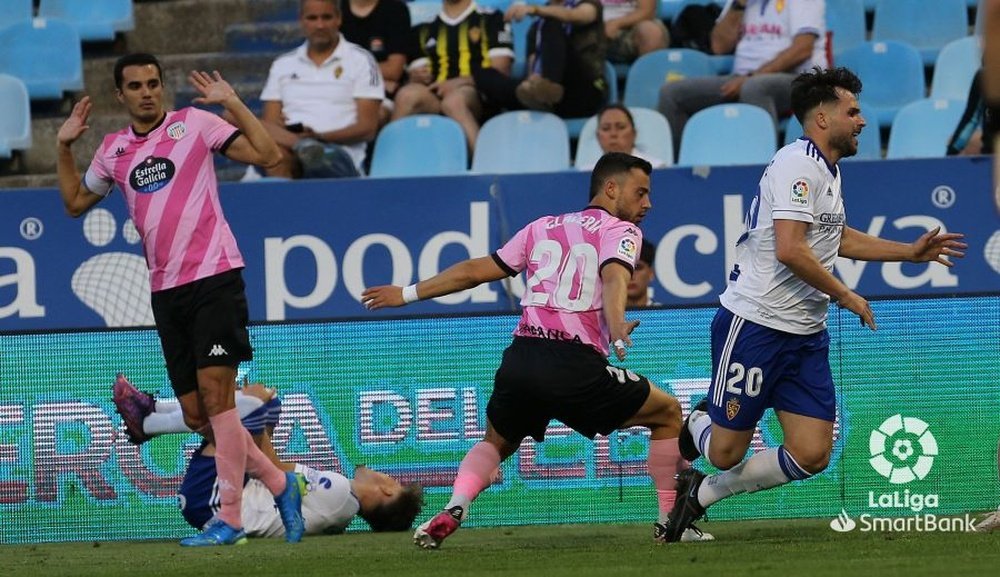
(330, 502)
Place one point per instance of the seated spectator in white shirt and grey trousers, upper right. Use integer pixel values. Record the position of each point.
(773, 41)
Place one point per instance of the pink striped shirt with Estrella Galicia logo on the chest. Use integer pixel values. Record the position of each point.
(168, 179)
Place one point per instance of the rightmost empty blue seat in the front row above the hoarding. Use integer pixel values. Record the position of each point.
(922, 128)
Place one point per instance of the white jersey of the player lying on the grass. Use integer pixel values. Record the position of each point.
(328, 507)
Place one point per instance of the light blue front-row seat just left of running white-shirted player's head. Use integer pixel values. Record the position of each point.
(728, 134)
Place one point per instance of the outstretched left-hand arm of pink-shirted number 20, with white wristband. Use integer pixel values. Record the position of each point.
(464, 275)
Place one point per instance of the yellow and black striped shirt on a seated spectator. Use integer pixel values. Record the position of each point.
(455, 49)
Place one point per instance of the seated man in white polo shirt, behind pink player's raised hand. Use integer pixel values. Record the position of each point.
(321, 100)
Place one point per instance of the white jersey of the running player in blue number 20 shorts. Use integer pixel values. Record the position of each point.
(798, 184)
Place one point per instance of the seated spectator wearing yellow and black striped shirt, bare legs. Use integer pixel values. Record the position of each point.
(449, 58)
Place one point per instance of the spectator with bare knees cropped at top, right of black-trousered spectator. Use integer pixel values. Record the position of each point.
(633, 28)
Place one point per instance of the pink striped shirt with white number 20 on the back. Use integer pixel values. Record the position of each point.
(562, 257)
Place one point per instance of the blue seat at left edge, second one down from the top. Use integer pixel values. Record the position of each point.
(54, 42)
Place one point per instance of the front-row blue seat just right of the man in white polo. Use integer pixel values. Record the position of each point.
(420, 145)
